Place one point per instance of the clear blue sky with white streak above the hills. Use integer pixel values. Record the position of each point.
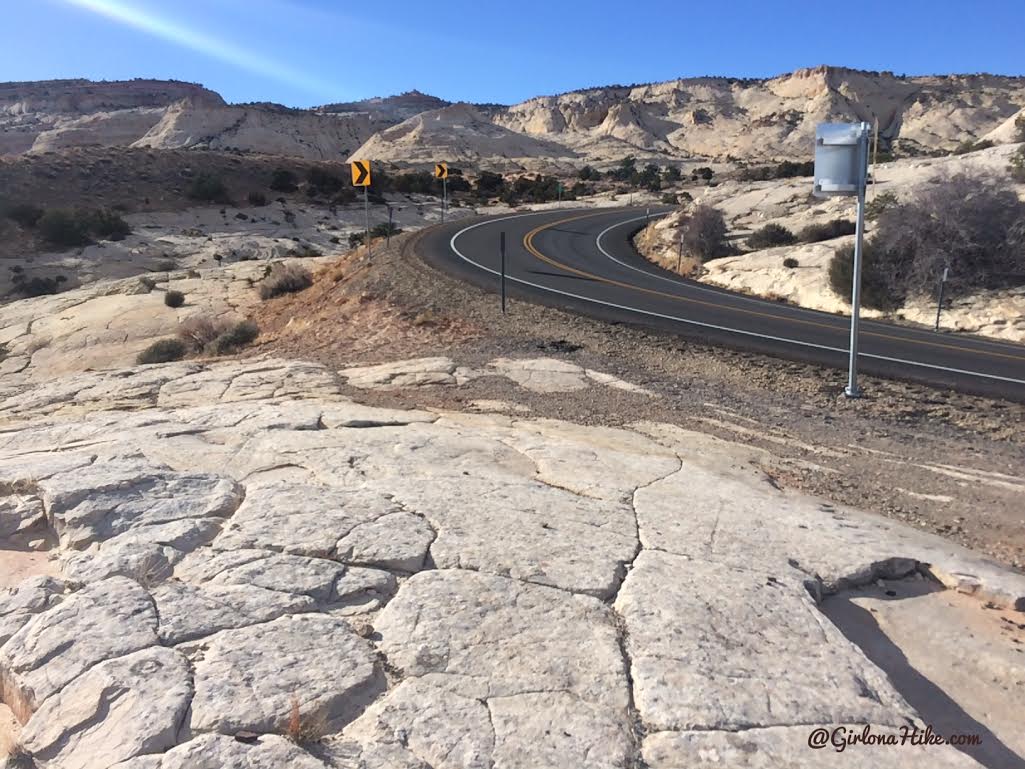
(304, 53)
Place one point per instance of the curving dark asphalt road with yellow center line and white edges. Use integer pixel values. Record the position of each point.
(583, 260)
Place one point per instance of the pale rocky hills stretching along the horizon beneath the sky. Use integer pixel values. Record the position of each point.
(701, 118)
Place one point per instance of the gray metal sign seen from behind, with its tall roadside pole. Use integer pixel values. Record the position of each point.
(842, 169)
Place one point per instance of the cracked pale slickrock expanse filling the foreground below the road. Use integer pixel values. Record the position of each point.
(245, 553)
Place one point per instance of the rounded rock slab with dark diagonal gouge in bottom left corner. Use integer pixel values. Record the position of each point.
(115, 711)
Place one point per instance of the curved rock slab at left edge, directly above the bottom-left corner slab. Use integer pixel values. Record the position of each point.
(103, 622)
